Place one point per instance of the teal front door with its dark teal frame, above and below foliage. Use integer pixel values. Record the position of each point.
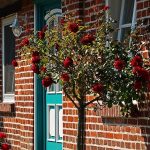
(49, 101)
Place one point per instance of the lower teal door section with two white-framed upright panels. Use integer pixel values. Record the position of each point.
(54, 127)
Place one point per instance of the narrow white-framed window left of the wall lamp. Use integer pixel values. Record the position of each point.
(8, 54)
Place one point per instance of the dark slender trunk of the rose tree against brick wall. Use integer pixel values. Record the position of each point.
(81, 129)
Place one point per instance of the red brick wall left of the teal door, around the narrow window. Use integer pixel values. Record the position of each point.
(18, 122)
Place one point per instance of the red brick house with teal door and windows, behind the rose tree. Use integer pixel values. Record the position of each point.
(28, 114)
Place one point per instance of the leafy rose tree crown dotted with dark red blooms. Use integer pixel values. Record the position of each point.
(89, 62)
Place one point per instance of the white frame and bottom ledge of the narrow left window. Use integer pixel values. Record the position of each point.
(7, 98)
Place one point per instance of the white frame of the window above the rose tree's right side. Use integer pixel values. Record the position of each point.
(121, 25)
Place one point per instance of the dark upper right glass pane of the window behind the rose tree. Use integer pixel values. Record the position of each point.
(128, 11)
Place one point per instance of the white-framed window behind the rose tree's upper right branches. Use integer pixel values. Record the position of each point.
(124, 11)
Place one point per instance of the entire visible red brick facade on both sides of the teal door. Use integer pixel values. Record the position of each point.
(105, 129)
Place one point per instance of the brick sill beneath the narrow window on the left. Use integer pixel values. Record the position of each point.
(7, 107)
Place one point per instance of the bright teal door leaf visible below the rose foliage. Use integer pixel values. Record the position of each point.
(54, 113)
